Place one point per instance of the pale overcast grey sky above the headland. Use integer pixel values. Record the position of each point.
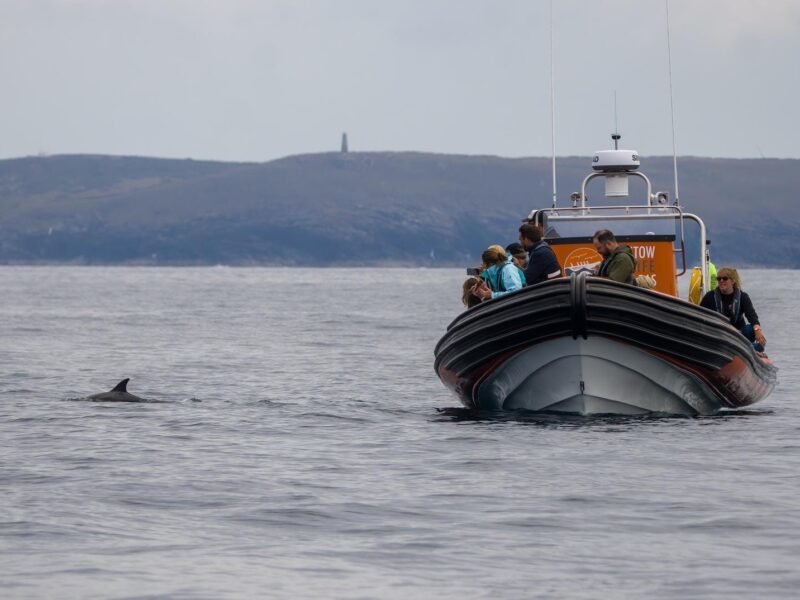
(256, 80)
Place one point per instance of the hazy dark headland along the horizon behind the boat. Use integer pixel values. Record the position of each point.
(357, 208)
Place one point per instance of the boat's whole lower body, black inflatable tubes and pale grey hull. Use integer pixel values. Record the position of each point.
(591, 346)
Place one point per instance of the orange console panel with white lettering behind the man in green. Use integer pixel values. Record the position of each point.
(654, 258)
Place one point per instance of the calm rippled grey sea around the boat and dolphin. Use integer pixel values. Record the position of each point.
(302, 447)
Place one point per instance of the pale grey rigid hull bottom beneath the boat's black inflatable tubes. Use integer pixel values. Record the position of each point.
(594, 376)
